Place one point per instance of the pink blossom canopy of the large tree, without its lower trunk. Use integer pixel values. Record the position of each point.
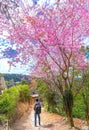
(51, 32)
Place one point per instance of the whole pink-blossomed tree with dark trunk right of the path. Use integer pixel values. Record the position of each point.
(53, 36)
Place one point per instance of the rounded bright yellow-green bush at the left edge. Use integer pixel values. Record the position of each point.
(8, 101)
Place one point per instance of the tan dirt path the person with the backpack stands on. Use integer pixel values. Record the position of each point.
(48, 122)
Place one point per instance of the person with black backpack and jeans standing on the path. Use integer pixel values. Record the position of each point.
(37, 109)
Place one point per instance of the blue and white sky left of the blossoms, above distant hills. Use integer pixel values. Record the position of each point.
(11, 53)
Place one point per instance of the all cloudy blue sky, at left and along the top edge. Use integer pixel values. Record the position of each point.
(4, 66)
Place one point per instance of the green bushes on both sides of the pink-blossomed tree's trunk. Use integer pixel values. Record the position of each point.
(54, 102)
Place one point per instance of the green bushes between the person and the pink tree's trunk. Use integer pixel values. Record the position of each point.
(50, 98)
